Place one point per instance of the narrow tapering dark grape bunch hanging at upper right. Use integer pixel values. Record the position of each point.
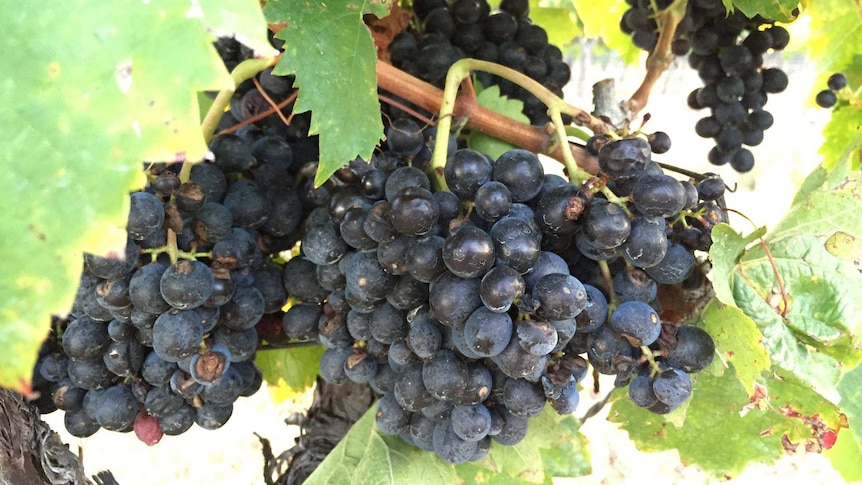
(727, 51)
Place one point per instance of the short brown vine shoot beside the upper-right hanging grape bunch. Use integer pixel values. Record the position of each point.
(660, 58)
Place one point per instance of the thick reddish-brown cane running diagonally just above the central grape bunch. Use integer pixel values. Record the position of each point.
(428, 97)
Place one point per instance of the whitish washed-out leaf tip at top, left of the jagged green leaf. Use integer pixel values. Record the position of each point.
(241, 19)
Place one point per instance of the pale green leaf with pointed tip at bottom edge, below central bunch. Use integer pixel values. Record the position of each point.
(365, 455)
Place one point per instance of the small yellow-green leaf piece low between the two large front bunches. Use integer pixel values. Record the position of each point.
(290, 371)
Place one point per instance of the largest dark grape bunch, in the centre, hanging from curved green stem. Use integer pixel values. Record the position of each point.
(468, 309)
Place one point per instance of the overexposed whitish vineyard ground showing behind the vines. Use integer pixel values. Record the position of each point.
(233, 453)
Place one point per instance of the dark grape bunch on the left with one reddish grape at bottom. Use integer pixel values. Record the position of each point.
(164, 336)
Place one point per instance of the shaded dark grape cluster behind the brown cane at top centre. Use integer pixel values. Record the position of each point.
(468, 28)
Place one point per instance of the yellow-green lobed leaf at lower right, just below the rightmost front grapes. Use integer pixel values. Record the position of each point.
(713, 423)
